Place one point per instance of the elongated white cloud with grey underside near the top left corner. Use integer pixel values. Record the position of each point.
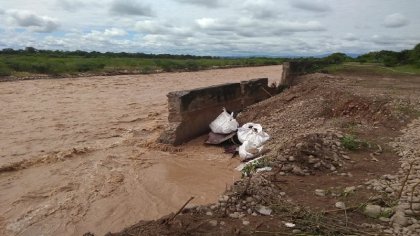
(34, 22)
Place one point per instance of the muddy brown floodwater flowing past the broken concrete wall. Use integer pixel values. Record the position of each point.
(84, 158)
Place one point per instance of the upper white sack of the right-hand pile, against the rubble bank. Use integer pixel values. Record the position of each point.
(253, 133)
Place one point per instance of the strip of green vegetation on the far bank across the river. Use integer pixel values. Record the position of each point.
(59, 63)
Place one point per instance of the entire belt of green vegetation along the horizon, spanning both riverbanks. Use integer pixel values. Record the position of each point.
(19, 63)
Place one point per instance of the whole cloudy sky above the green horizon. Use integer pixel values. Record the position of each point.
(216, 28)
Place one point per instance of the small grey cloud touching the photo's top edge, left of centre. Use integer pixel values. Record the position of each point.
(130, 7)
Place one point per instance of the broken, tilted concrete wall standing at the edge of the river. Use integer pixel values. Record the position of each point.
(191, 111)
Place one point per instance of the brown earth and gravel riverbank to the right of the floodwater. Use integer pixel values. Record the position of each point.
(344, 158)
